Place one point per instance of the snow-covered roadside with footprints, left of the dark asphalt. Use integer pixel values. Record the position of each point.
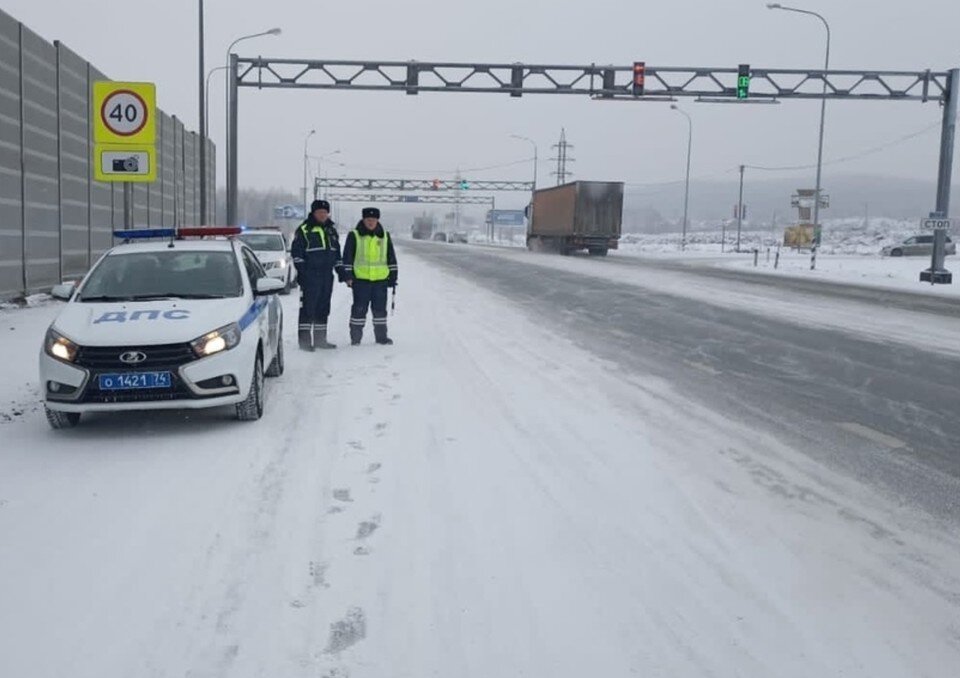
(486, 498)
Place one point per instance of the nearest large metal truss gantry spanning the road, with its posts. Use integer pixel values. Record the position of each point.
(602, 82)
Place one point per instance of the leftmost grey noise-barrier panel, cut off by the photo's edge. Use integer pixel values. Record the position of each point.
(11, 179)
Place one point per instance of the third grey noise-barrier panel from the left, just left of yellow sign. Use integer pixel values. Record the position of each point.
(74, 163)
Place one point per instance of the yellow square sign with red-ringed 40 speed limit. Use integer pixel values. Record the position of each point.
(124, 112)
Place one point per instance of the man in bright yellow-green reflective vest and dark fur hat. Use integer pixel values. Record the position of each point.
(369, 268)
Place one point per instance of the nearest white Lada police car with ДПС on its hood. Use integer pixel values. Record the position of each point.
(168, 324)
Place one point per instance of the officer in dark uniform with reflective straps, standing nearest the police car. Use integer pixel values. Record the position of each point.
(316, 254)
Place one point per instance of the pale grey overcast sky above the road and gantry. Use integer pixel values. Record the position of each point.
(435, 133)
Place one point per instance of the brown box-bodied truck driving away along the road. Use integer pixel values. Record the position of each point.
(582, 215)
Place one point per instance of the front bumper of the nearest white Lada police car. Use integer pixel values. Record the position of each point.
(78, 390)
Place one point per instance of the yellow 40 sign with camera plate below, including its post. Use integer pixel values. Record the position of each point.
(125, 136)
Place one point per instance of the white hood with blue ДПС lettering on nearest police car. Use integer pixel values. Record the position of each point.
(146, 322)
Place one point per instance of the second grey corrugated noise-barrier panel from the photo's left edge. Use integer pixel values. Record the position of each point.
(41, 212)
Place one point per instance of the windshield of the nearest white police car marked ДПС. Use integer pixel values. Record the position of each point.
(152, 275)
